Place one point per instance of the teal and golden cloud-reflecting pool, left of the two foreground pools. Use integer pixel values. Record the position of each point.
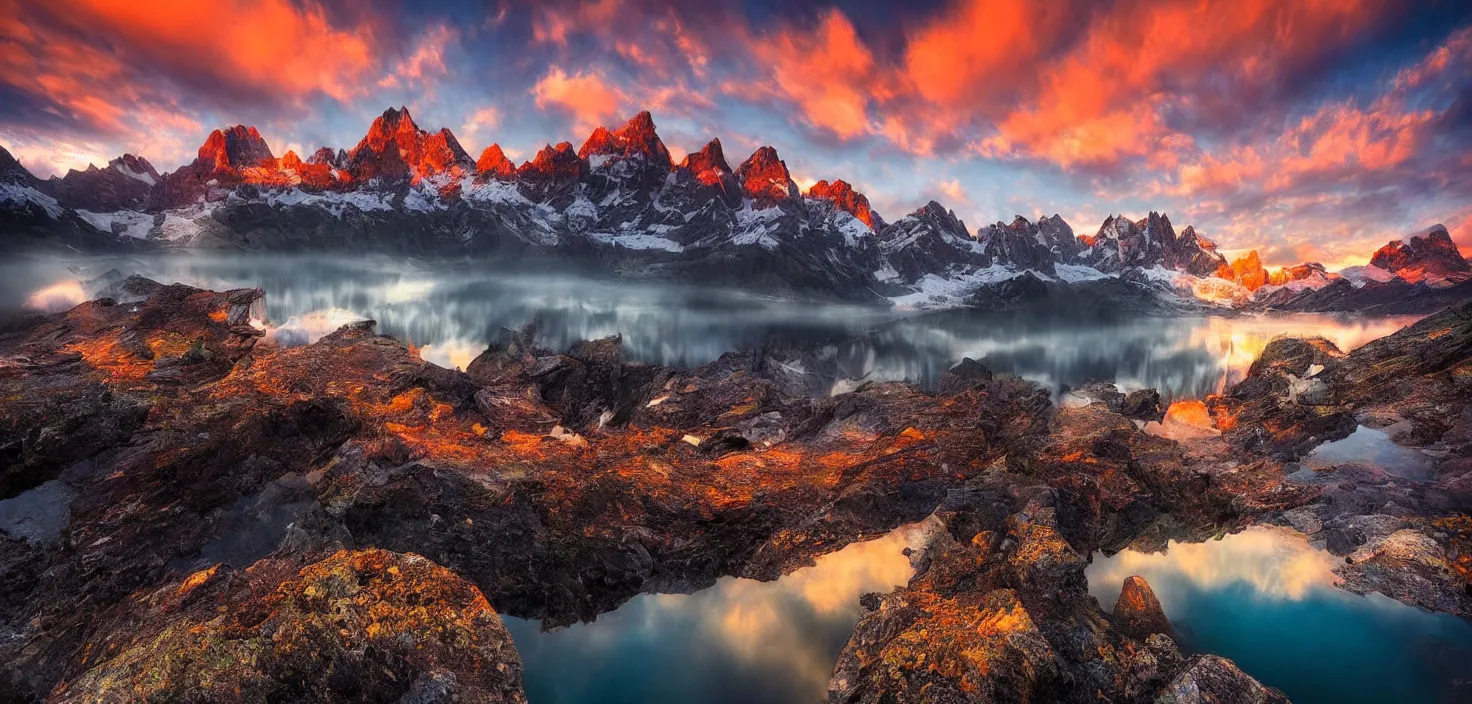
(738, 641)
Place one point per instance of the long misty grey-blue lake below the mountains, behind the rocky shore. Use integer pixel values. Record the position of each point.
(451, 311)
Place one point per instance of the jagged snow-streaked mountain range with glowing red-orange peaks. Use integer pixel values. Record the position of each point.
(620, 205)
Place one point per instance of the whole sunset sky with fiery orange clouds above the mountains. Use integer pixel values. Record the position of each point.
(1312, 130)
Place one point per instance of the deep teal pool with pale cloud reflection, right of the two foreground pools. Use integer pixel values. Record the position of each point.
(1267, 600)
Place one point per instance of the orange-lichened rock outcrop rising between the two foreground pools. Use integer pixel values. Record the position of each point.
(999, 612)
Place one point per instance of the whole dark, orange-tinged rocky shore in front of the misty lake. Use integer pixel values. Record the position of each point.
(194, 515)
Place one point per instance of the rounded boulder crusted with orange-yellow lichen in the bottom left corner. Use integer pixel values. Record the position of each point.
(382, 621)
